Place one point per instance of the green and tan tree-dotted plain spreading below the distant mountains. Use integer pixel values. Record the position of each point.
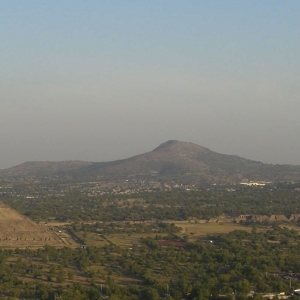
(142, 241)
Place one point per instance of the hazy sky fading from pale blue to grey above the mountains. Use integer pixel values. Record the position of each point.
(104, 80)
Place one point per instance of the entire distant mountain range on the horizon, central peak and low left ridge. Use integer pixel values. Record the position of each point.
(173, 160)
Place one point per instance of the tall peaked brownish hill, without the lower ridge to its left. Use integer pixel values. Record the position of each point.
(190, 163)
